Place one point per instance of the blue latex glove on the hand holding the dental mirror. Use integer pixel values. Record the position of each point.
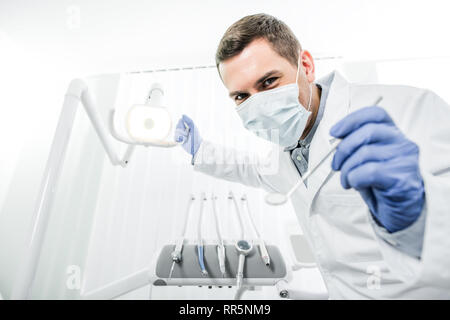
(376, 159)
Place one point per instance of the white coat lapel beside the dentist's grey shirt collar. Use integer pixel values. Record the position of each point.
(336, 107)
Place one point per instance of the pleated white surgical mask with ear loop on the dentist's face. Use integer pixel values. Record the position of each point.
(276, 113)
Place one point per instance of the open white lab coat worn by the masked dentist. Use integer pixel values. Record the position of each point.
(356, 263)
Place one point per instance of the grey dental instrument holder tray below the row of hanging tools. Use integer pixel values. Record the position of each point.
(188, 273)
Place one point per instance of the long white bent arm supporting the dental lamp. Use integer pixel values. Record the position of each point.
(77, 91)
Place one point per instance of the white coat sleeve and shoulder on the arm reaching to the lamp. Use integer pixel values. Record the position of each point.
(273, 172)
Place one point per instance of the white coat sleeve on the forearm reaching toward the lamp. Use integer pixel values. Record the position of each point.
(229, 164)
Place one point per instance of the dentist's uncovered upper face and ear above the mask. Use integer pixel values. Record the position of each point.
(257, 68)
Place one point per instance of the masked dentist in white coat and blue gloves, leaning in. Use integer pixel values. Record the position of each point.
(377, 214)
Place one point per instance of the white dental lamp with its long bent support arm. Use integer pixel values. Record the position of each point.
(147, 124)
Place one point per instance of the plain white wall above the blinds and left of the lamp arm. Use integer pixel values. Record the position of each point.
(43, 46)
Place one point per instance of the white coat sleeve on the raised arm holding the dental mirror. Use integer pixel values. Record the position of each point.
(433, 267)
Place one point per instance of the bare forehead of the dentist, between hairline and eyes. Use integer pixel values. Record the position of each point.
(243, 70)
